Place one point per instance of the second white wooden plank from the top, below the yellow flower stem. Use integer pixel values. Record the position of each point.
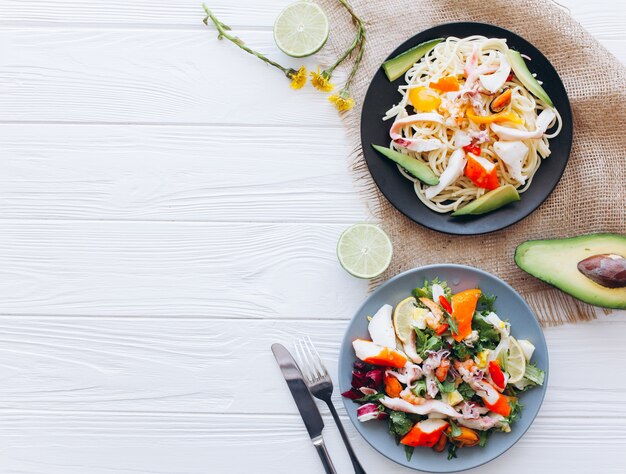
(151, 76)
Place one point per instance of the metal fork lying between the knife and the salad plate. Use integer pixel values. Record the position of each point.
(321, 386)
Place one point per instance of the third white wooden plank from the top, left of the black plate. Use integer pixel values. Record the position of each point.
(248, 174)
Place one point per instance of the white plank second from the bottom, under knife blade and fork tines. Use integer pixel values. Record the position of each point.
(225, 366)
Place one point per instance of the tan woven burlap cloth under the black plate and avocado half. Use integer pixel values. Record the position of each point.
(591, 196)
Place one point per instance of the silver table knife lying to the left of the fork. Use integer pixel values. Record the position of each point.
(304, 401)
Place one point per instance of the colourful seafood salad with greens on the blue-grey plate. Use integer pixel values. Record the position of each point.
(442, 370)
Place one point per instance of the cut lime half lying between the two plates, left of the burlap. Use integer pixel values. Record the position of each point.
(364, 250)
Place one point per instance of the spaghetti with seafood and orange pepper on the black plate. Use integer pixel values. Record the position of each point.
(474, 71)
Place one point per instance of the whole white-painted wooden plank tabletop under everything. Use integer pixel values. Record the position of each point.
(159, 230)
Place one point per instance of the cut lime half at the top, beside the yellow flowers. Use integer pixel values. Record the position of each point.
(301, 29)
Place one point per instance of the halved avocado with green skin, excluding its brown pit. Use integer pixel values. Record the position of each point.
(557, 262)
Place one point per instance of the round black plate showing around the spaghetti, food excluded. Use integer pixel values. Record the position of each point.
(382, 93)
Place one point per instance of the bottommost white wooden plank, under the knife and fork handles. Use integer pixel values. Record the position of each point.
(74, 442)
